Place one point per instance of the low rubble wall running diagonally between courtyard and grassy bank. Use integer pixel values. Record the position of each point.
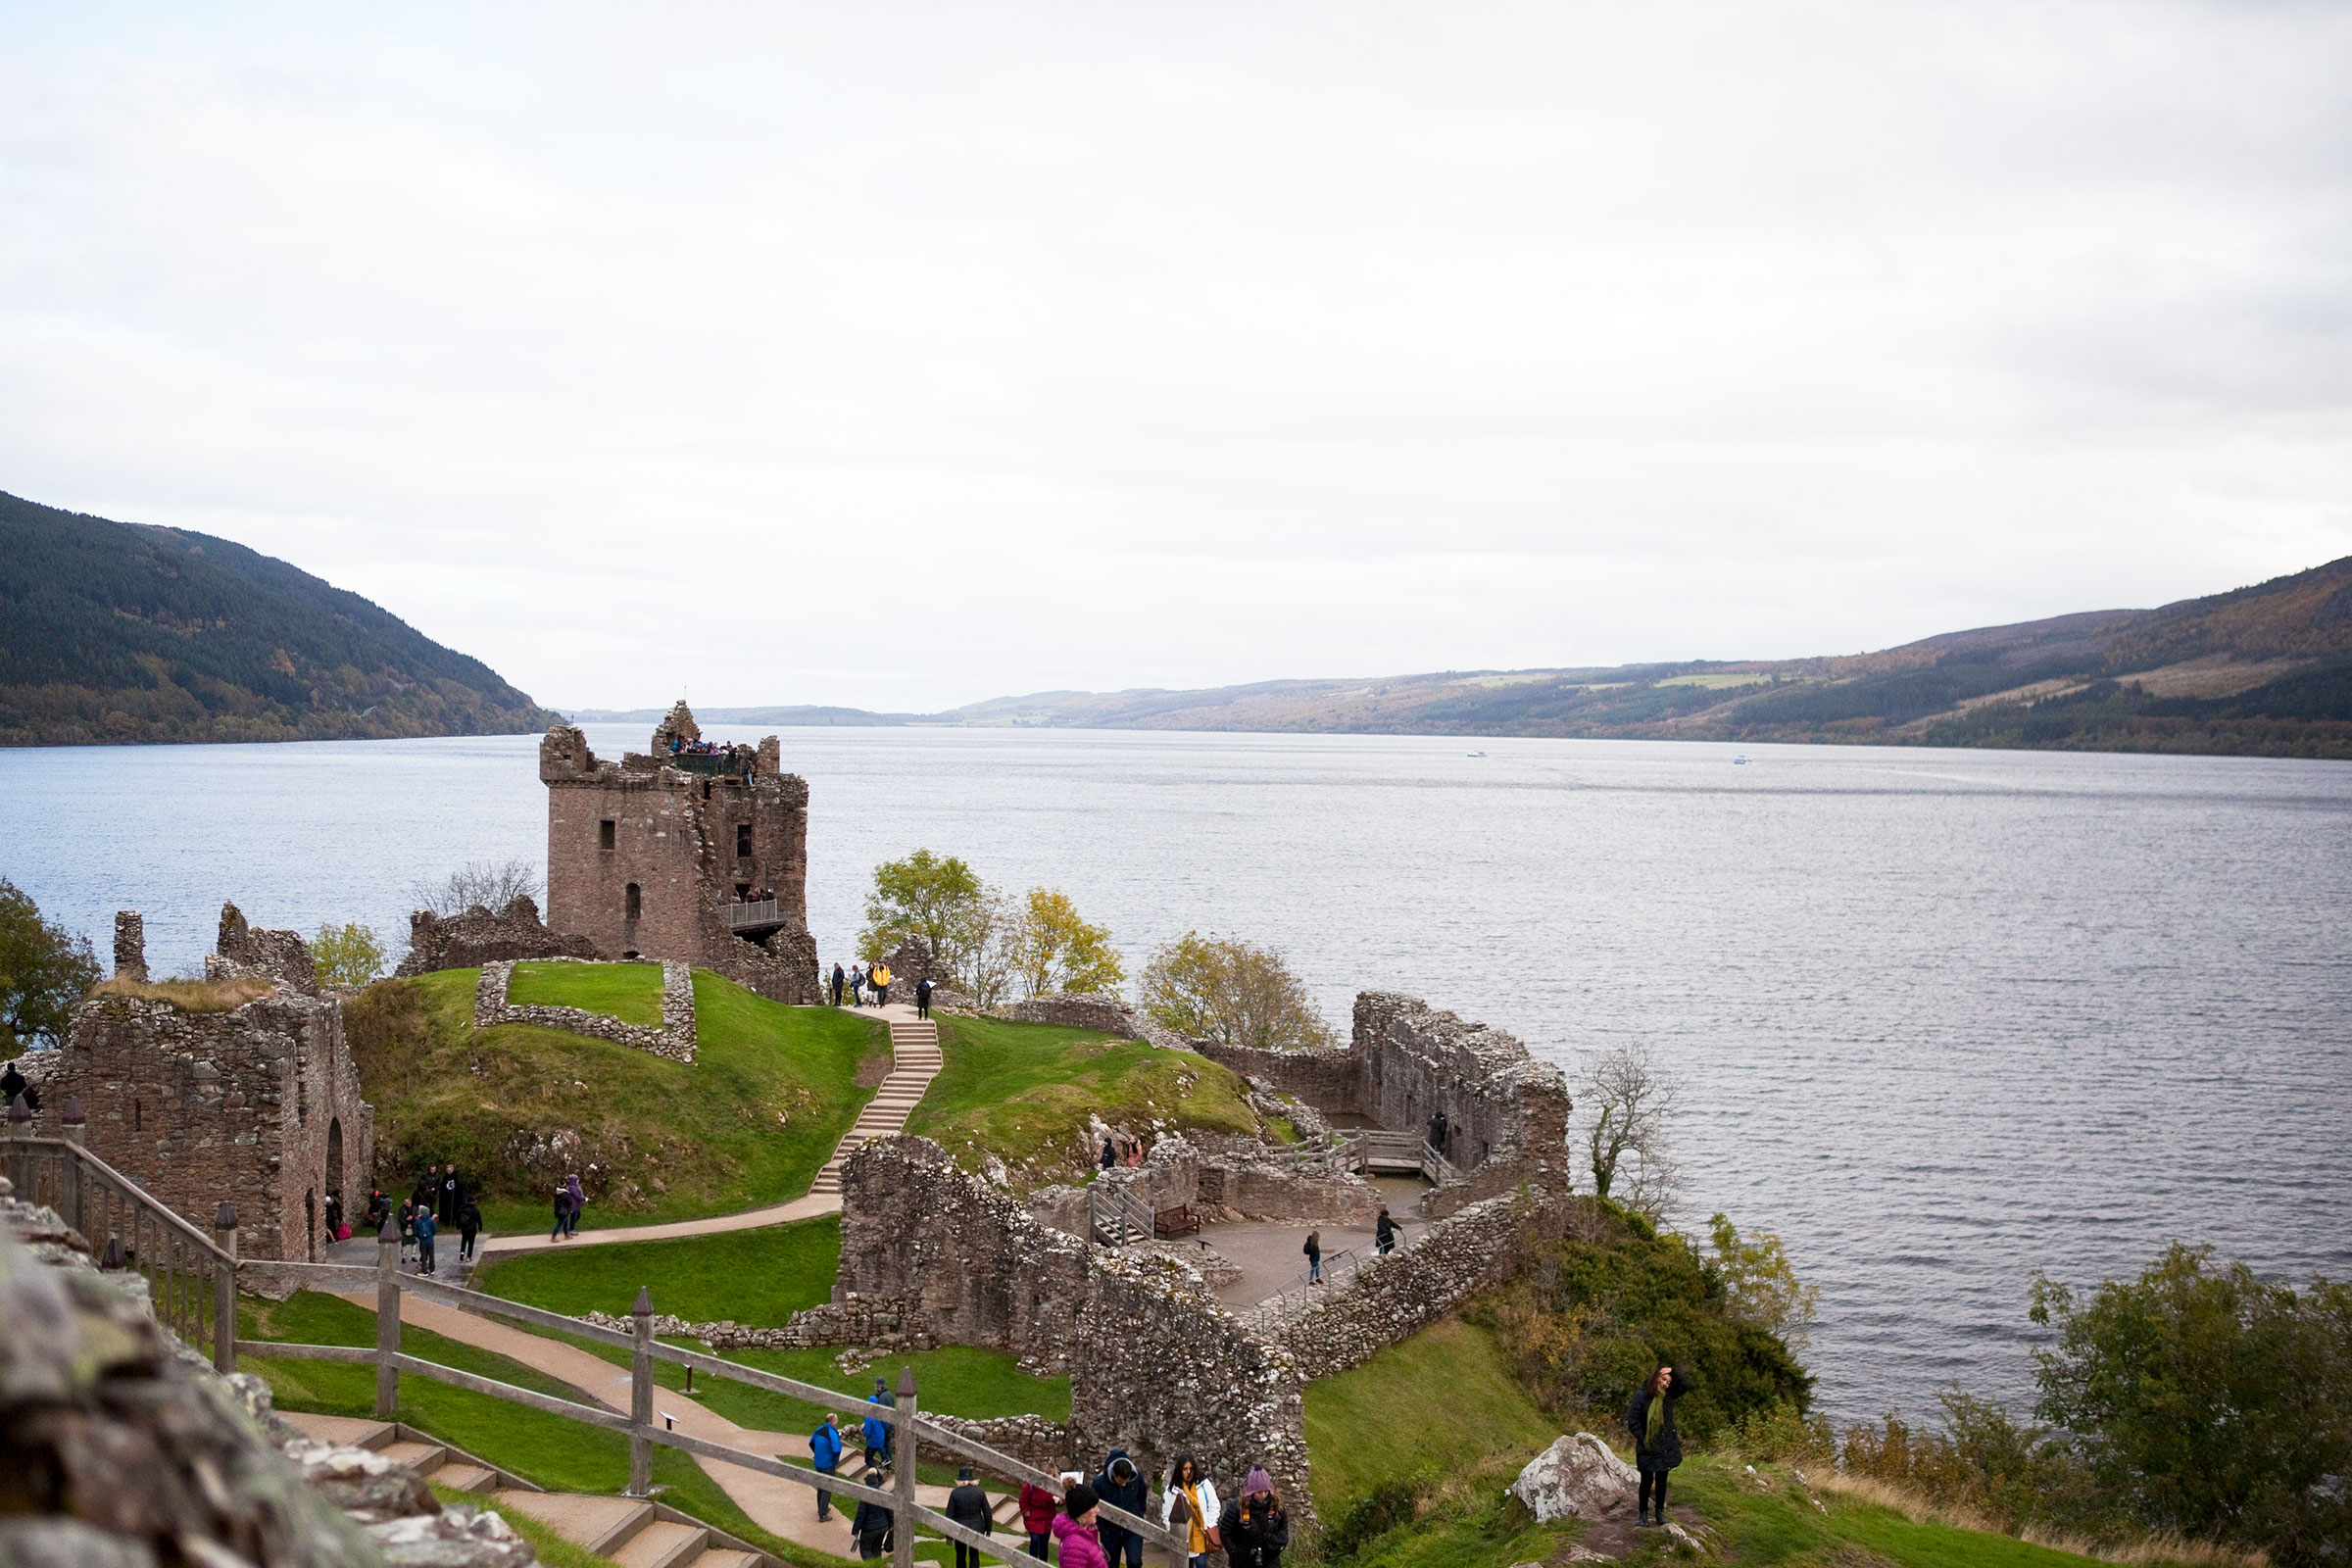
(1408, 1292)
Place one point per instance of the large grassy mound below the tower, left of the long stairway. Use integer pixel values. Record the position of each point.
(519, 1108)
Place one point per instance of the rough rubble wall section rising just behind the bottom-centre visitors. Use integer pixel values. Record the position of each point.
(1163, 1369)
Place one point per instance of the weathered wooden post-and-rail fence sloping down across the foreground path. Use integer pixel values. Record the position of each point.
(909, 1428)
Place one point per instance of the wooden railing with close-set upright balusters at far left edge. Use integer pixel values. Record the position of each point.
(192, 1278)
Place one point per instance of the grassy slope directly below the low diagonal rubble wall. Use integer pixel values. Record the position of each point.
(1466, 1405)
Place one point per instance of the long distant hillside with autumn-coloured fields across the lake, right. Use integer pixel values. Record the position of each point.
(2261, 671)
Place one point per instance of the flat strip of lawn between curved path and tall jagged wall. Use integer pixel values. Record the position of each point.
(756, 1278)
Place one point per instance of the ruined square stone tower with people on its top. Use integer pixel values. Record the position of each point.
(660, 855)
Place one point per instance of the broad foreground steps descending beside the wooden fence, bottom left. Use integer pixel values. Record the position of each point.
(629, 1532)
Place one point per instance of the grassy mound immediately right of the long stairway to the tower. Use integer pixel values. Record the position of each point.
(1022, 1094)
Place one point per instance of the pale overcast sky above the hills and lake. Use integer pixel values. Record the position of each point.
(904, 356)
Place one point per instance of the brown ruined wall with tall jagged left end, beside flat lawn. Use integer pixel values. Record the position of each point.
(949, 1259)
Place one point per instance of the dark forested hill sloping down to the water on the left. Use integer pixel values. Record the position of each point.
(126, 634)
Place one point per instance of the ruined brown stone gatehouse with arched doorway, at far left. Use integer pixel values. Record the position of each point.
(258, 1106)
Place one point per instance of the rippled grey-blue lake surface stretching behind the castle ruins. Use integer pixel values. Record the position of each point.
(1944, 1017)
